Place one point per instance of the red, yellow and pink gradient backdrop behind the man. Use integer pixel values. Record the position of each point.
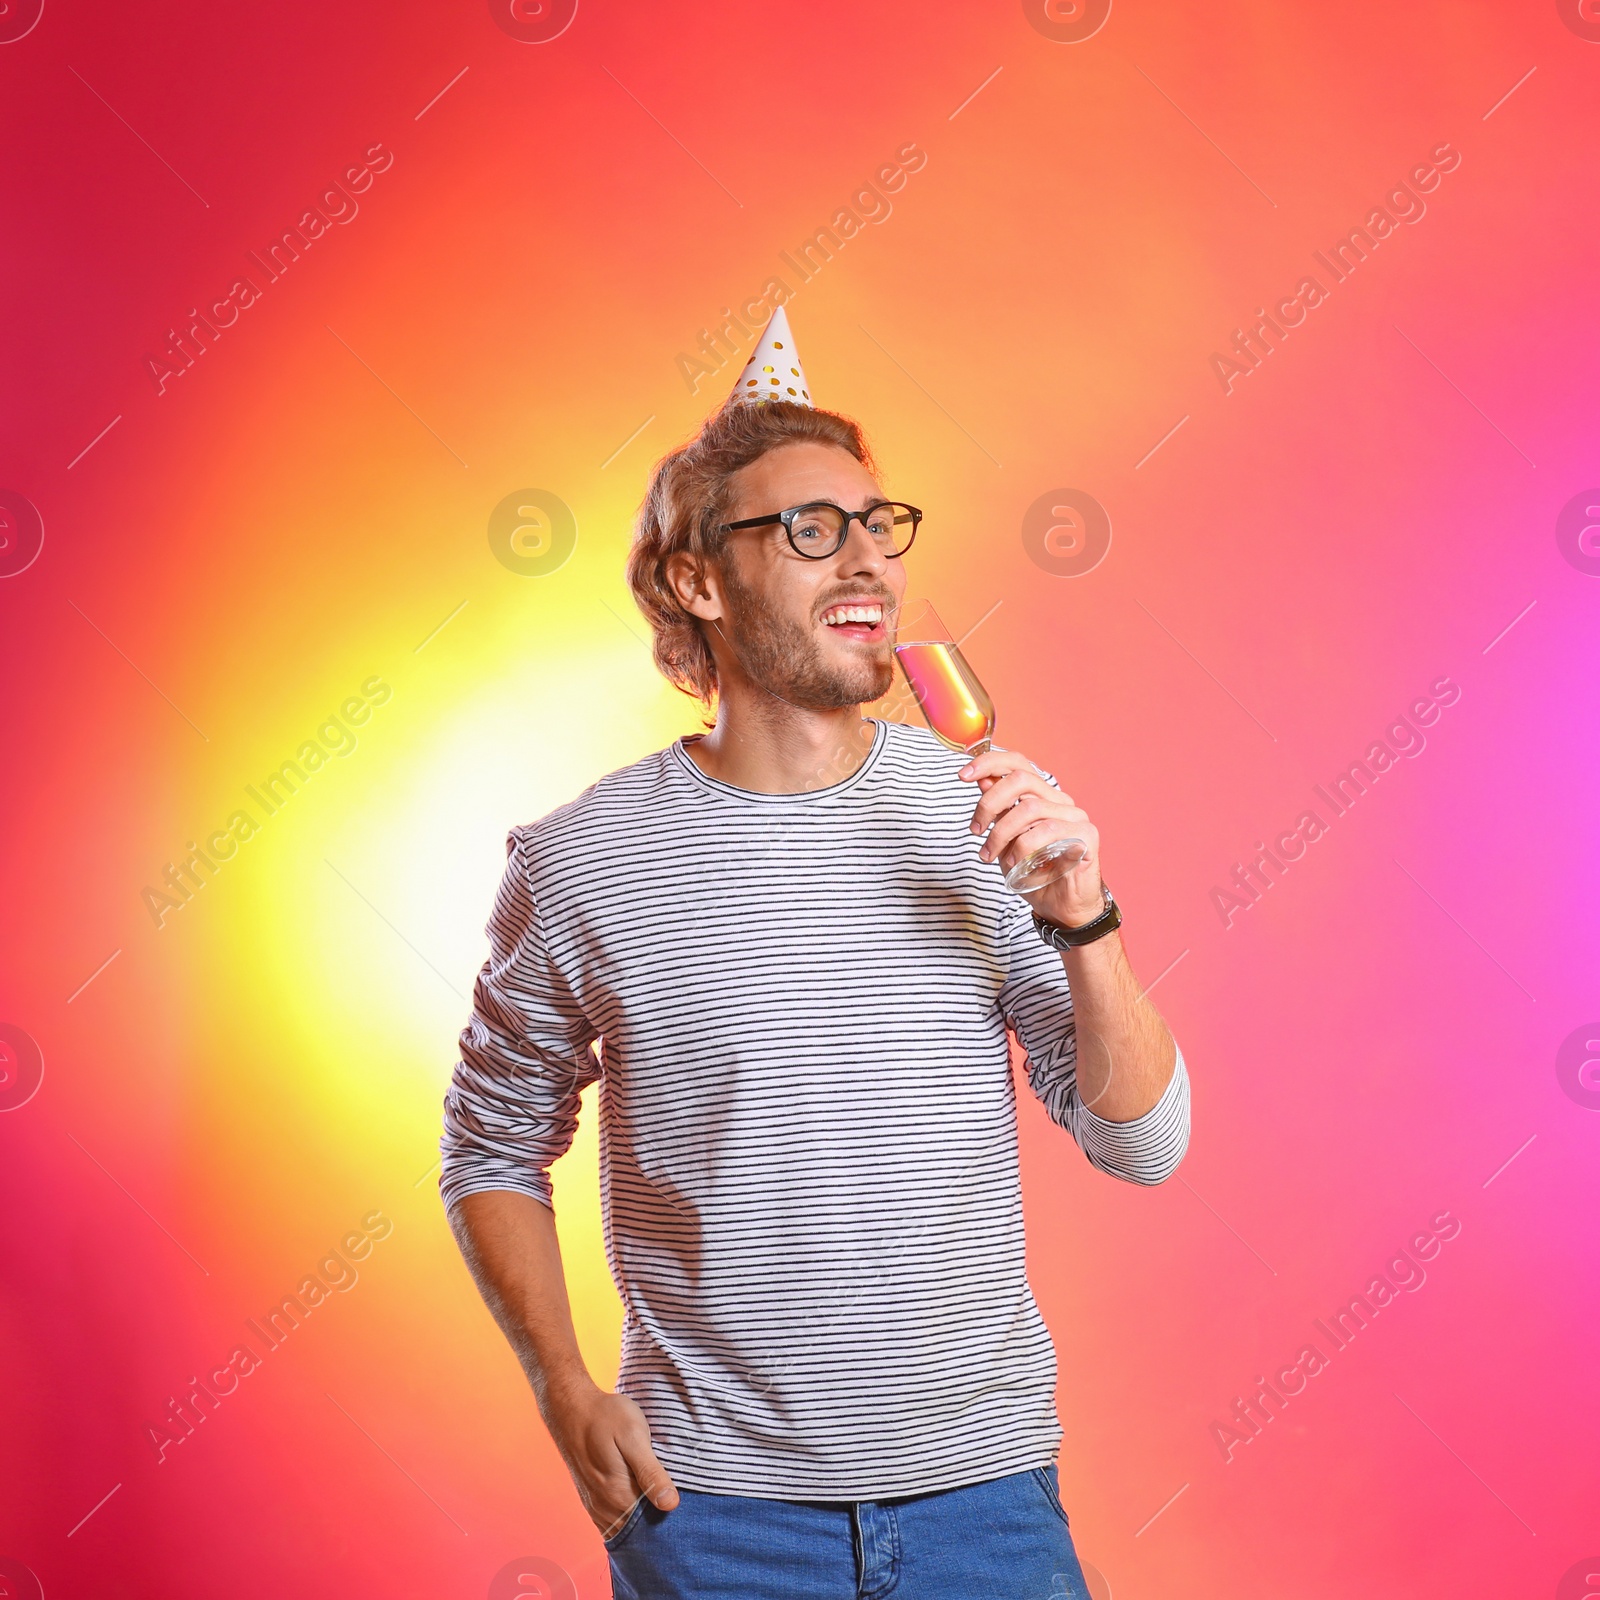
(1374, 510)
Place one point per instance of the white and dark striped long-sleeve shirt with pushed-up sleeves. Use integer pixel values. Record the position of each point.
(809, 1150)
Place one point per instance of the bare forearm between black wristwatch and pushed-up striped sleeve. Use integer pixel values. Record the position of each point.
(1126, 1052)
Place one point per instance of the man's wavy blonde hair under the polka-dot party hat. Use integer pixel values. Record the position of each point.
(689, 498)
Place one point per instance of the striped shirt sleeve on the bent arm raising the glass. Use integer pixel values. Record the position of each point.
(1038, 1006)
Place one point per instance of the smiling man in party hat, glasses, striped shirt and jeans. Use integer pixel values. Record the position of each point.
(791, 942)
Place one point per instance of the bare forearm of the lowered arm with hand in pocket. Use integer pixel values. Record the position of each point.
(514, 1255)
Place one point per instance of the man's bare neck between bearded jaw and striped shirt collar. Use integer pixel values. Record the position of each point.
(772, 748)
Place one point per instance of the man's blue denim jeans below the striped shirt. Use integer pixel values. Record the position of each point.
(1004, 1540)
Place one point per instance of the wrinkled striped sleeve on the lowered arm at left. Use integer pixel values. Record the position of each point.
(513, 1102)
